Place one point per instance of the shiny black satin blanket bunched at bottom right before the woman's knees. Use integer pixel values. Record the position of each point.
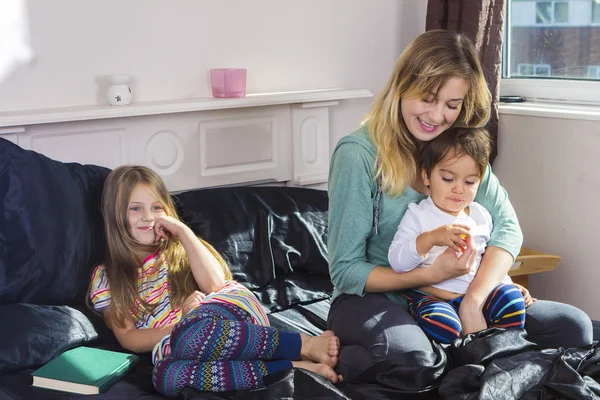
(504, 365)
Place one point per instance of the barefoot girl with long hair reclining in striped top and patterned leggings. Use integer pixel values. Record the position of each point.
(162, 289)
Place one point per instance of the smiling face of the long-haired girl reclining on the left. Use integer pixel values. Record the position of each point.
(143, 210)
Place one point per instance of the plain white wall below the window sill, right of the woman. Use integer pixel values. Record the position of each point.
(549, 167)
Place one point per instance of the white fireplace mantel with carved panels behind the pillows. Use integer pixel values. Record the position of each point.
(193, 143)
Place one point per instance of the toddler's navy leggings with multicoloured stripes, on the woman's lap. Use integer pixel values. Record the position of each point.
(504, 308)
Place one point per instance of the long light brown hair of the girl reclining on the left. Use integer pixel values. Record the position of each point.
(124, 255)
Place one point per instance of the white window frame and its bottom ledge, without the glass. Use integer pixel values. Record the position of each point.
(552, 90)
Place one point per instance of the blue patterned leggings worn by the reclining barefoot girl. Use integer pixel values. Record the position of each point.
(217, 348)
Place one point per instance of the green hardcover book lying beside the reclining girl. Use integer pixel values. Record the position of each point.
(84, 370)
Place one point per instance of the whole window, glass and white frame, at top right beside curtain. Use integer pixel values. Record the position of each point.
(552, 49)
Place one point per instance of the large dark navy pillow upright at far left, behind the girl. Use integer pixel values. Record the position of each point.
(51, 232)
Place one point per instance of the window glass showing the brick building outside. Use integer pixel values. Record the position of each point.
(552, 39)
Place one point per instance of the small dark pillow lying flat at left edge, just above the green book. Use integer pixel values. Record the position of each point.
(33, 334)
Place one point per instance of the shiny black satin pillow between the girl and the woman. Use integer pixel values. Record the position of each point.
(273, 238)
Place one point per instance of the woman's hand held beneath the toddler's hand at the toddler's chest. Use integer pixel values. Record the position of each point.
(448, 265)
